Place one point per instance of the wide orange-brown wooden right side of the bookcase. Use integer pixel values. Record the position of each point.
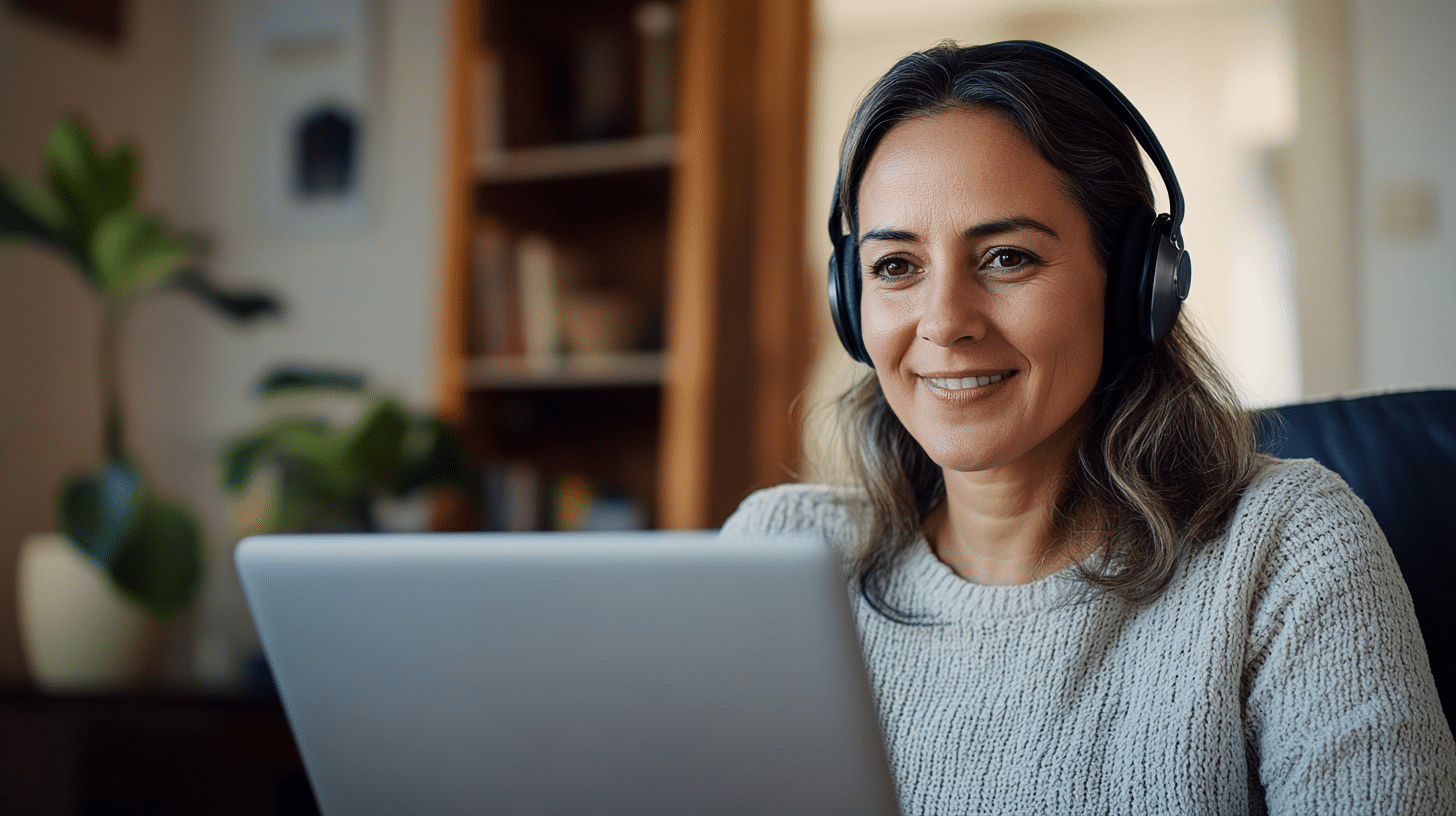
(737, 337)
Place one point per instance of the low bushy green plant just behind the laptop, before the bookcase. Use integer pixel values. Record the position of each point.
(331, 474)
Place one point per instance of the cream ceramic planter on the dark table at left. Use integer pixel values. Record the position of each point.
(78, 632)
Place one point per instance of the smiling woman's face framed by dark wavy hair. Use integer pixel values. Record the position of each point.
(982, 292)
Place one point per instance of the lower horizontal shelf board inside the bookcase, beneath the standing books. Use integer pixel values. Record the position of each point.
(566, 372)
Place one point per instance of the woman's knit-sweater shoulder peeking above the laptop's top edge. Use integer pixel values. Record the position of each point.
(828, 511)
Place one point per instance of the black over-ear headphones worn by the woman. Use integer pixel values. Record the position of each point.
(1148, 270)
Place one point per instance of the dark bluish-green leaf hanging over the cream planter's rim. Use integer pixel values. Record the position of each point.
(100, 511)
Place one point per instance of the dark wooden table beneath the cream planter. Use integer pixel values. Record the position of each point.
(154, 754)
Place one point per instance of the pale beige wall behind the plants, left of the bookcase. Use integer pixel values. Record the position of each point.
(186, 87)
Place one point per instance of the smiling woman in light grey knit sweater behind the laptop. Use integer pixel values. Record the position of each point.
(1080, 588)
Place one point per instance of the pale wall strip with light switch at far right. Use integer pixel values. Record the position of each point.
(1406, 116)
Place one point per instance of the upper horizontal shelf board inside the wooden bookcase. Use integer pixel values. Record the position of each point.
(576, 161)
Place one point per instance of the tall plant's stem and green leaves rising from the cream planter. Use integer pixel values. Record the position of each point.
(85, 209)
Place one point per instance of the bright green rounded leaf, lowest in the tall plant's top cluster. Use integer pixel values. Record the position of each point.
(133, 253)
